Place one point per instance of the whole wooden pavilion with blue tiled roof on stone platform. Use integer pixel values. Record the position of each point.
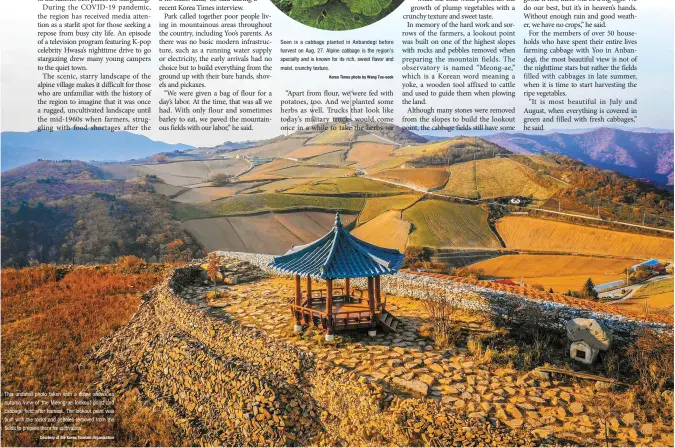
(340, 256)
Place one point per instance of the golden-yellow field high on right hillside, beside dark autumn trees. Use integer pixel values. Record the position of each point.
(497, 177)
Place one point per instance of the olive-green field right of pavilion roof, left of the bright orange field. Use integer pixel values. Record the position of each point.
(444, 224)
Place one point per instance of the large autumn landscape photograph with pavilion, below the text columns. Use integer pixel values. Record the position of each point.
(350, 284)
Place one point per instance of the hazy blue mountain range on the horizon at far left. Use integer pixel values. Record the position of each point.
(19, 148)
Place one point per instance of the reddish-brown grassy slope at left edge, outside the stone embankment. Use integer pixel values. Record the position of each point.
(51, 318)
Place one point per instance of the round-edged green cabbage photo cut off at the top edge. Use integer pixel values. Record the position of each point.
(337, 15)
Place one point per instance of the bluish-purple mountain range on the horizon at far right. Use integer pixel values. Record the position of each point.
(636, 153)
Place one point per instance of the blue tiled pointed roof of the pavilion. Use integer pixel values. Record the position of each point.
(338, 254)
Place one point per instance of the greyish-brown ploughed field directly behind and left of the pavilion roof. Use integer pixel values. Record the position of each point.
(268, 233)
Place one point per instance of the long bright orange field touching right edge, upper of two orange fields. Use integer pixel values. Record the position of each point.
(525, 233)
